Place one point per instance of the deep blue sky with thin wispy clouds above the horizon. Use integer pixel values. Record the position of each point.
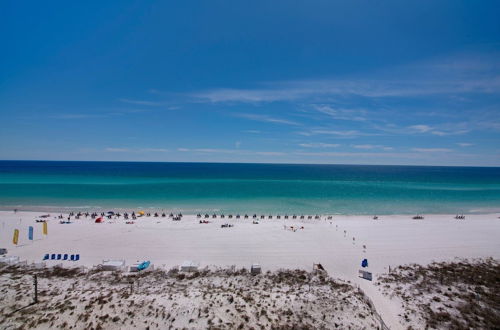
(330, 82)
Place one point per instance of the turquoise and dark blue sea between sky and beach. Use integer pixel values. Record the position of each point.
(248, 188)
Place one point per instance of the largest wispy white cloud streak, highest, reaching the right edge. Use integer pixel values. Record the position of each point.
(459, 74)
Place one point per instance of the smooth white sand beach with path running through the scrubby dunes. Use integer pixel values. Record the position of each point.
(338, 244)
